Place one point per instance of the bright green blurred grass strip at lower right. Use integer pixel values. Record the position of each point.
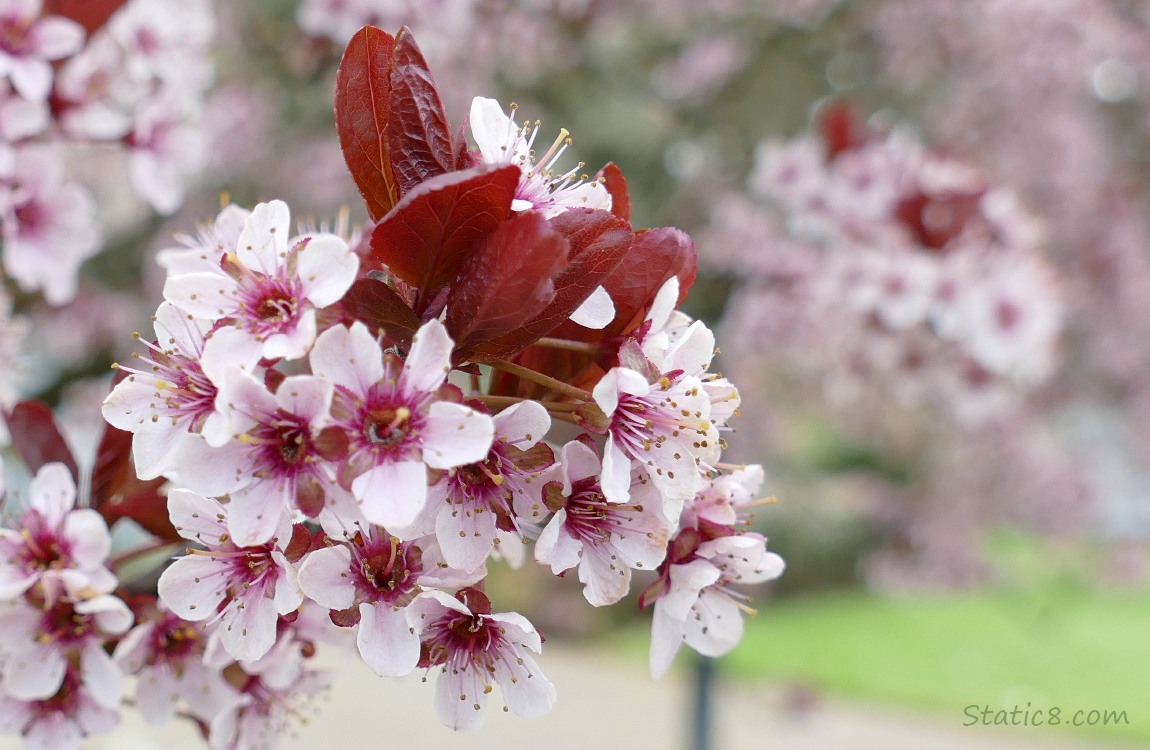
(1064, 648)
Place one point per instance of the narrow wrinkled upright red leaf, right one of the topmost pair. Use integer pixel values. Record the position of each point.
(418, 133)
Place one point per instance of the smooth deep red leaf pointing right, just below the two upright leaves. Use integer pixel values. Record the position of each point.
(433, 231)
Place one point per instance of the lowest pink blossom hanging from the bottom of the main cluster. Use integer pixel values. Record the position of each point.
(478, 649)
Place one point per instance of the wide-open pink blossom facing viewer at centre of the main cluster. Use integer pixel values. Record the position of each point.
(397, 423)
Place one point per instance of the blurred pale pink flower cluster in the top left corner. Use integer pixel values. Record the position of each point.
(132, 74)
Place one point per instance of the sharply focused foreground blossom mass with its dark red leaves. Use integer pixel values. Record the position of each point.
(340, 428)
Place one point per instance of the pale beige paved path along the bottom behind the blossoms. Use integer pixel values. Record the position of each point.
(604, 705)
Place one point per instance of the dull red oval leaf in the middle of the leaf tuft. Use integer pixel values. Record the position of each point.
(508, 282)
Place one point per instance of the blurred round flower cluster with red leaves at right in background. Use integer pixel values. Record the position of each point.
(918, 277)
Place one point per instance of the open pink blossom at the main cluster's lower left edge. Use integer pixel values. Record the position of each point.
(244, 588)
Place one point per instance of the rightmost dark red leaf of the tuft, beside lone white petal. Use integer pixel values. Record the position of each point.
(656, 256)
